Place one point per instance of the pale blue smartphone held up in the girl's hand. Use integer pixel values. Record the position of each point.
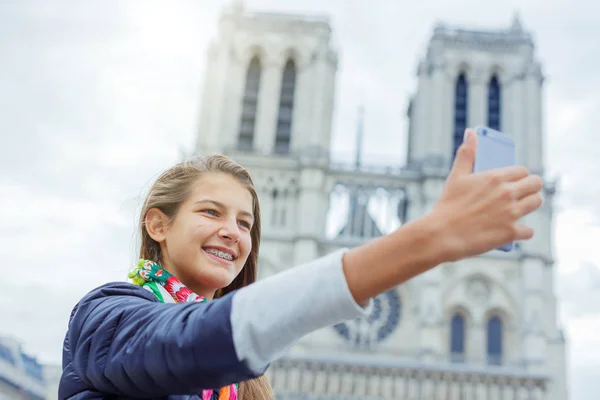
(494, 150)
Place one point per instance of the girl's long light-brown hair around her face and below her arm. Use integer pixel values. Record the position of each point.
(167, 194)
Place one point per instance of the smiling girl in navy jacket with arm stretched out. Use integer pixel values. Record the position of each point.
(194, 325)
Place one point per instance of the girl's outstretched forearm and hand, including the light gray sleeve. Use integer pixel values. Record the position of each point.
(475, 213)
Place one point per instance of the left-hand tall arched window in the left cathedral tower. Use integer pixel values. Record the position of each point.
(249, 105)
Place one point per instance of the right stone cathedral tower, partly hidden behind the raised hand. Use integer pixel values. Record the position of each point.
(499, 307)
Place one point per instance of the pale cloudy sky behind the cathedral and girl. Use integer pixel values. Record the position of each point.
(97, 97)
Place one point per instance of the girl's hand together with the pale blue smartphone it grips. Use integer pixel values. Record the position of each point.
(482, 210)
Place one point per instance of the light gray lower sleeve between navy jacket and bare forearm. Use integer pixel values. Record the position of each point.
(272, 314)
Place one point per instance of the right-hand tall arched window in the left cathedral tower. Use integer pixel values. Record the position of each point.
(286, 108)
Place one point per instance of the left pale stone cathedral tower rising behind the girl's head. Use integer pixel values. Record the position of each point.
(268, 103)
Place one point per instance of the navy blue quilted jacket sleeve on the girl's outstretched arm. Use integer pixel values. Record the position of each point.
(123, 341)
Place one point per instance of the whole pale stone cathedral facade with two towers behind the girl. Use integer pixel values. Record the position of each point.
(481, 328)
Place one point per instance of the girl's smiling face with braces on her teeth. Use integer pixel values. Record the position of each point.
(208, 242)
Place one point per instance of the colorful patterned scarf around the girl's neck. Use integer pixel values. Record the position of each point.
(168, 289)
